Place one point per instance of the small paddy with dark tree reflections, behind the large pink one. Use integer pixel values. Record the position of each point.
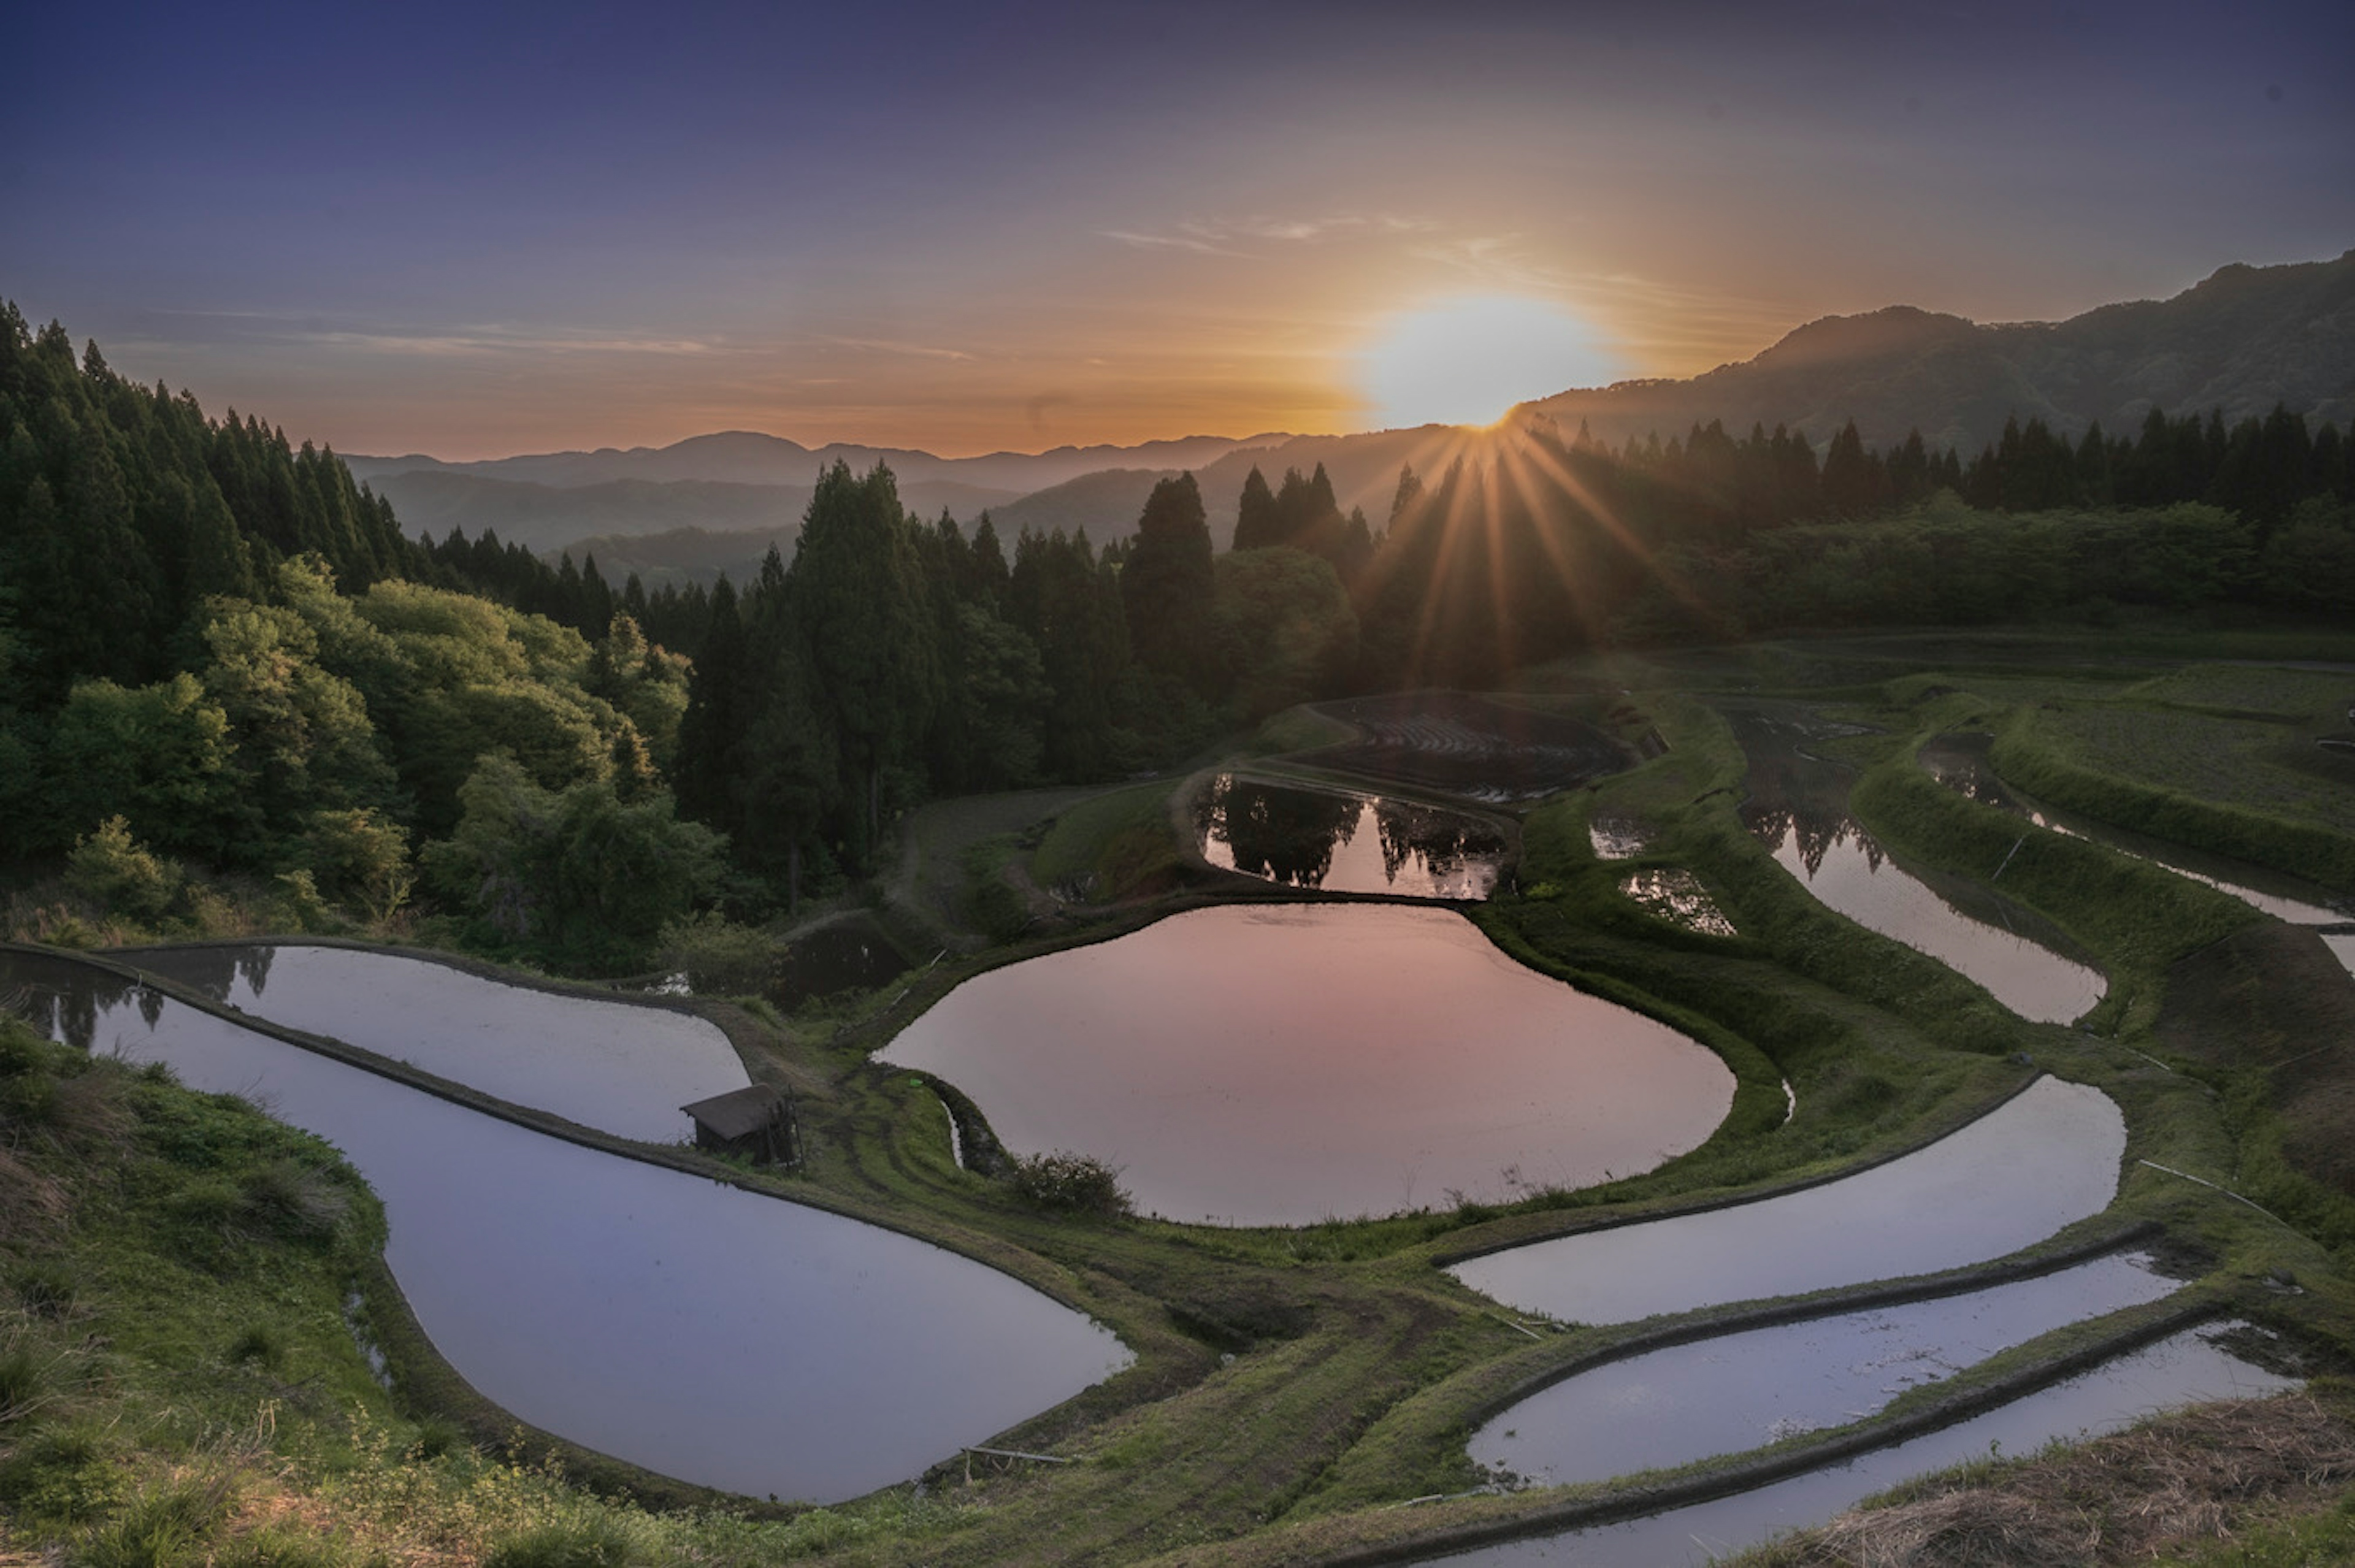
(1346, 842)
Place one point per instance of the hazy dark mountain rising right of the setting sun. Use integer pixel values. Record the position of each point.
(2243, 340)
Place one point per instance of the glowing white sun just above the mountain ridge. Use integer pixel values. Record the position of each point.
(1471, 361)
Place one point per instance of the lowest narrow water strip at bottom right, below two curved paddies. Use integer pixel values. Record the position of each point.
(2177, 1371)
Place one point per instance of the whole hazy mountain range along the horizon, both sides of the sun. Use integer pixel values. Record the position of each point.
(2241, 343)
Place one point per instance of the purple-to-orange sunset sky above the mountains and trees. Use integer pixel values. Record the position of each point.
(489, 230)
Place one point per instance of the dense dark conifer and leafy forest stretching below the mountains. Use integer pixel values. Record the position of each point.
(218, 649)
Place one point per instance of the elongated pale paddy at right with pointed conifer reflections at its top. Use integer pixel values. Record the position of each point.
(1847, 872)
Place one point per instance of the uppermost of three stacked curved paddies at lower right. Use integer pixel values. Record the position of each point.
(2012, 1178)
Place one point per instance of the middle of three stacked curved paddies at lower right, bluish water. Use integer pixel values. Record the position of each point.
(1753, 1388)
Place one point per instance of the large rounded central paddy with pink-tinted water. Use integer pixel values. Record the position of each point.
(1282, 1065)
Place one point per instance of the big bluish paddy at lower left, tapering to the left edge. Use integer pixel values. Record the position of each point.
(694, 1329)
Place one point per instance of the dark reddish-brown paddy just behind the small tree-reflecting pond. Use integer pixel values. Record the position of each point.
(1473, 748)
